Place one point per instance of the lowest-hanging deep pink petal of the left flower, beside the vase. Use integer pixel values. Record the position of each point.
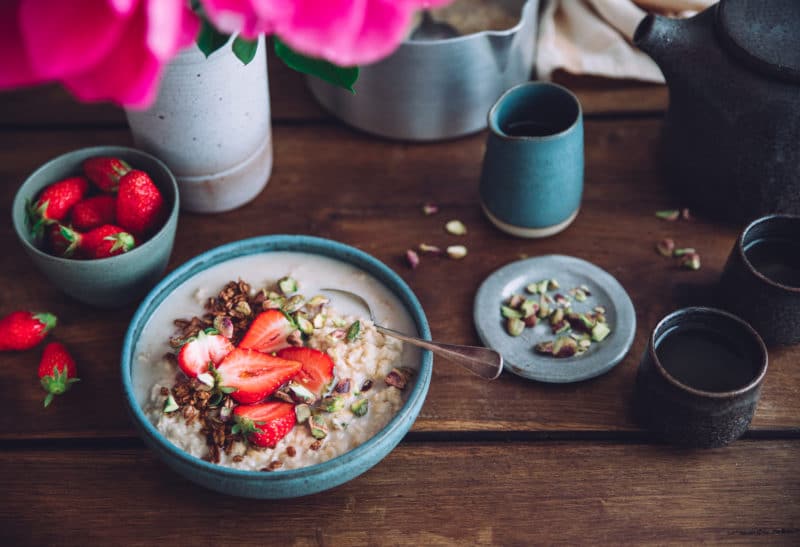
(129, 75)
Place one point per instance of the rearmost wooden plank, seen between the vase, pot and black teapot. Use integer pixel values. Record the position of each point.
(291, 101)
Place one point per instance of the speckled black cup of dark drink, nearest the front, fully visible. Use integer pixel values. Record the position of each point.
(700, 378)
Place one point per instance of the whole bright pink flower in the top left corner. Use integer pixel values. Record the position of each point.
(99, 49)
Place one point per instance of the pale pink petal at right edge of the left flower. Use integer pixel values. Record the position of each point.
(171, 26)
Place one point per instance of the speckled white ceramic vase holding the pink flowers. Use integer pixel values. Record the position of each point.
(211, 125)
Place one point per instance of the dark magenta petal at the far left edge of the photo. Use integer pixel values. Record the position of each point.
(15, 67)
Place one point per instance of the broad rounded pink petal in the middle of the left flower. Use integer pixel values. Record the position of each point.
(65, 38)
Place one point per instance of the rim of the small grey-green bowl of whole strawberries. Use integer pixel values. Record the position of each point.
(104, 150)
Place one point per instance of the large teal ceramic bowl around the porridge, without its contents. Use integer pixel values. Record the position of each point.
(282, 483)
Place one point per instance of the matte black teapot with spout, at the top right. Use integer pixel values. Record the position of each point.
(731, 131)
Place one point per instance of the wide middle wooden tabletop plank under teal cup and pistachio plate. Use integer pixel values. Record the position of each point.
(333, 182)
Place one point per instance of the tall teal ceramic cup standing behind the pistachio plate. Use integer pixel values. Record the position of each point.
(532, 178)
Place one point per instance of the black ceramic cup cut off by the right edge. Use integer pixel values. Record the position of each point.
(761, 280)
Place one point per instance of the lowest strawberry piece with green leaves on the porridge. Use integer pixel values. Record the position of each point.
(264, 424)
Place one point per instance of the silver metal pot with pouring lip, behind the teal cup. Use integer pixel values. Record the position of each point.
(437, 89)
